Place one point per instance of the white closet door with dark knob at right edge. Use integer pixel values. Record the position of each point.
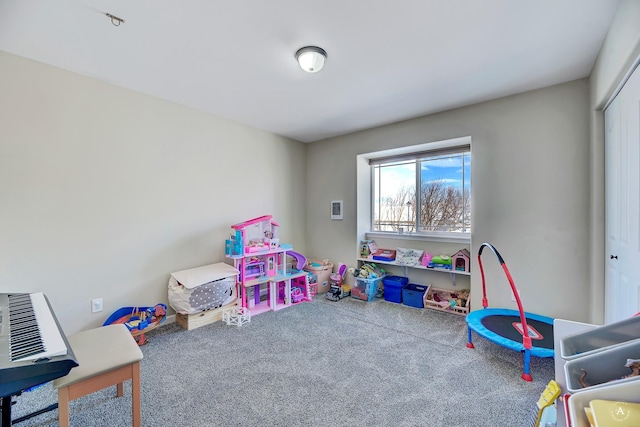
(622, 193)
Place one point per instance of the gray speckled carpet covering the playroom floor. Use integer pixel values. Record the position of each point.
(346, 363)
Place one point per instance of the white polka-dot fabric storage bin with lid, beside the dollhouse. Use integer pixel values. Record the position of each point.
(199, 295)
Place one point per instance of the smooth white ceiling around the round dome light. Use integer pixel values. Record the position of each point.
(387, 60)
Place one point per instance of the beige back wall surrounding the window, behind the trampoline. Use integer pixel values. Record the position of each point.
(530, 185)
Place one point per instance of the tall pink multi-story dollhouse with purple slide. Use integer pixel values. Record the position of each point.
(265, 281)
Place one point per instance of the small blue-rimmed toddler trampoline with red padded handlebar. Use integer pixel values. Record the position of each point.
(514, 329)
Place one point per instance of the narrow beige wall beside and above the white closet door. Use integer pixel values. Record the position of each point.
(619, 53)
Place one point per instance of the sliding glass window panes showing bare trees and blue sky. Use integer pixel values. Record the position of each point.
(426, 192)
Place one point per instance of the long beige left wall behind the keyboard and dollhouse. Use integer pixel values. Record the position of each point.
(105, 191)
